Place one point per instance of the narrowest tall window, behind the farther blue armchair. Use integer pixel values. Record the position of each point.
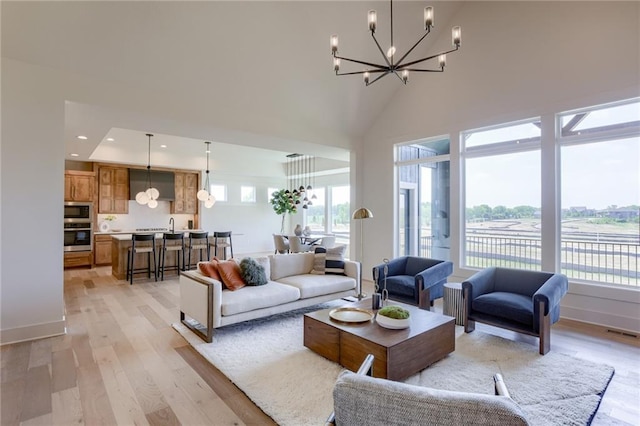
(423, 198)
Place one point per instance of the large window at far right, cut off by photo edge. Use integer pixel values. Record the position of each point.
(600, 163)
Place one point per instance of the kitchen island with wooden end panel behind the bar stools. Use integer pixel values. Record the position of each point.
(120, 245)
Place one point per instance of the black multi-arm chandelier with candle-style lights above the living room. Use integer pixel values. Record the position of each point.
(400, 68)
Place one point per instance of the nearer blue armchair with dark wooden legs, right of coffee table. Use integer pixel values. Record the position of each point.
(523, 301)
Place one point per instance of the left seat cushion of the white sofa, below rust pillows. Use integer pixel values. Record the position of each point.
(251, 297)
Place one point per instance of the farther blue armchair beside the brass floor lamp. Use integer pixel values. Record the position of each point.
(414, 280)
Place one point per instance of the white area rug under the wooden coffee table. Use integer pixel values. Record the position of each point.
(268, 361)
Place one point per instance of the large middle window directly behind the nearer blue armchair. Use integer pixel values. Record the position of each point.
(502, 201)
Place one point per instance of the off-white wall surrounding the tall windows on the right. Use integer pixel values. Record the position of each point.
(518, 60)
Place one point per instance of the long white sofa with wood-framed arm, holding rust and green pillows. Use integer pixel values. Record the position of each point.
(291, 286)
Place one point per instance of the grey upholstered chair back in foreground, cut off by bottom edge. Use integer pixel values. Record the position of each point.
(362, 400)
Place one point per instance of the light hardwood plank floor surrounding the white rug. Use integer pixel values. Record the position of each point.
(122, 363)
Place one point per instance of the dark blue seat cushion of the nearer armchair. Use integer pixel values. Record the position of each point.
(510, 306)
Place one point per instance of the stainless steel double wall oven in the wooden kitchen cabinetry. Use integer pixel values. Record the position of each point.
(78, 226)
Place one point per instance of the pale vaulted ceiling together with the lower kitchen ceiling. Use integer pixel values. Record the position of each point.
(259, 59)
